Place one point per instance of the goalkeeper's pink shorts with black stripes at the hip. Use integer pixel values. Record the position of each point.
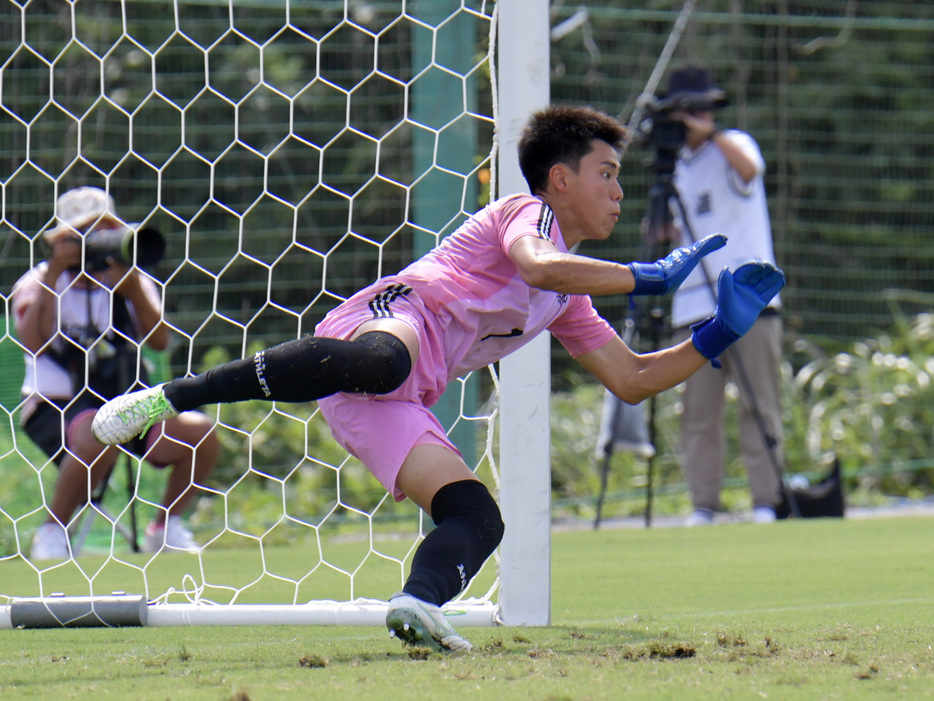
(381, 430)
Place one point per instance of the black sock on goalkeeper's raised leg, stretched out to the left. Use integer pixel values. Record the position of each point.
(300, 371)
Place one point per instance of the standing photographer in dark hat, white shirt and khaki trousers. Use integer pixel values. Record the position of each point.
(719, 180)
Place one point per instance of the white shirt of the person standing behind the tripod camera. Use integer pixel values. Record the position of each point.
(716, 200)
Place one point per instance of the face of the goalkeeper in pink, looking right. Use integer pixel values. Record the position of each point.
(595, 192)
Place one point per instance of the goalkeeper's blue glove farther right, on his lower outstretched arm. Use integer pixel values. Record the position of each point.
(741, 296)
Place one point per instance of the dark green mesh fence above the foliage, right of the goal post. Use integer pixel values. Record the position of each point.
(838, 95)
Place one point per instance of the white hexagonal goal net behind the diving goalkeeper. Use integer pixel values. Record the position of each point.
(290, 153)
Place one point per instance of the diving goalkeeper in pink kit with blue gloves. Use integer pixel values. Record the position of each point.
(379, 360)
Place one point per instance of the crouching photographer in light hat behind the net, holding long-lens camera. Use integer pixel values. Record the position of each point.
(82, 325)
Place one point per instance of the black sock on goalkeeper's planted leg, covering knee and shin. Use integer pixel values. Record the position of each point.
(469, 527)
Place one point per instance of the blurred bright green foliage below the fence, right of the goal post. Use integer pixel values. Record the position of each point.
(871, 405)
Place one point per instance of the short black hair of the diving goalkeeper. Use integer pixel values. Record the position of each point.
(563, 134)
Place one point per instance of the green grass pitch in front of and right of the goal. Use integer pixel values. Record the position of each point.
(812, 609)
